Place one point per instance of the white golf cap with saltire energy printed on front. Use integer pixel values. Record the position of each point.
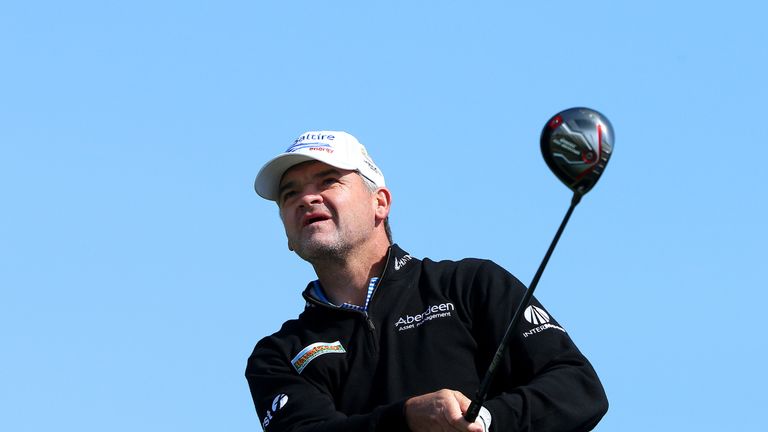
(335, 148)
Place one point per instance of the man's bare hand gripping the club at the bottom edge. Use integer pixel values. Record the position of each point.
(439, 412)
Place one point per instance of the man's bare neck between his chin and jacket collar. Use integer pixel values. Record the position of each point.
(346, 280)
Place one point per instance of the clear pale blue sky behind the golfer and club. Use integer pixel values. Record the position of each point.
(138, 268)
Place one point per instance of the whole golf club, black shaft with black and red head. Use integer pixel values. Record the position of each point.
(576, 145)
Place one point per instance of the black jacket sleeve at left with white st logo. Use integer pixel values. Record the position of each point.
(286, 402)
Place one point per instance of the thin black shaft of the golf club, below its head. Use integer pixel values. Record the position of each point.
(482, 392)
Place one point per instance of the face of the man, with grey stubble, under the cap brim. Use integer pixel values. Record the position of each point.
(326, 211)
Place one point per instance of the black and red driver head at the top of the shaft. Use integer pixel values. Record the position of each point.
(576, 145)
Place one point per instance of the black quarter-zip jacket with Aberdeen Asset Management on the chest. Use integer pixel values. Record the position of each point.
(430, 325)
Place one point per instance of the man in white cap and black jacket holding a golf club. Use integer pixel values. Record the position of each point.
(389, 342)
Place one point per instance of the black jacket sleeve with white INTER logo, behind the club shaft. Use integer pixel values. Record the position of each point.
(544, 383)
